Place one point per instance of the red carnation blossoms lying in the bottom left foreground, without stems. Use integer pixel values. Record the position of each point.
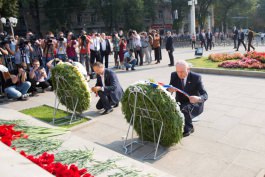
(45, 161)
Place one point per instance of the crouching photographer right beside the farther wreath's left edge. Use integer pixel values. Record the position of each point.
(38, 76)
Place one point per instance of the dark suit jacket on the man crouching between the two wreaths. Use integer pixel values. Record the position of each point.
(112, 85)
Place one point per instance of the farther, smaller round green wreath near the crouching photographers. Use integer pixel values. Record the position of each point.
(78, 87)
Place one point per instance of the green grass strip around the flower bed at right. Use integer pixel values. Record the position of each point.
(203, 62)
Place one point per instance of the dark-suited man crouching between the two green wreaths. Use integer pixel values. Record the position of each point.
(107, 88)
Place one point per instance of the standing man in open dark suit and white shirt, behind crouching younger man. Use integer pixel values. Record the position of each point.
(105, 50)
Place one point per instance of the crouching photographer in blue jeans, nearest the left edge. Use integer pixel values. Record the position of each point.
(16, 86)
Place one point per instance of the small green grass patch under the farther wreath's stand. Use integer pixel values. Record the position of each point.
(45, 113)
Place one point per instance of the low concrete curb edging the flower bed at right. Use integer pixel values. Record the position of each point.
(229, 72)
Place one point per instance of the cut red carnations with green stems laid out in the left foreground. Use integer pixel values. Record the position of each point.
(39, 145)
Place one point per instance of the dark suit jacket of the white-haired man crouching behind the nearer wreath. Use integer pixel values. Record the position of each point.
(193, 87)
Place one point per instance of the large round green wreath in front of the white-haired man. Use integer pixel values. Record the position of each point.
(168, 108)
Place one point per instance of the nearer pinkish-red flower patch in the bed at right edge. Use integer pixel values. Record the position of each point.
(244, 63)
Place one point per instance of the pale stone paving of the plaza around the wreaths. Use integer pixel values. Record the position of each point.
(228, 140)
